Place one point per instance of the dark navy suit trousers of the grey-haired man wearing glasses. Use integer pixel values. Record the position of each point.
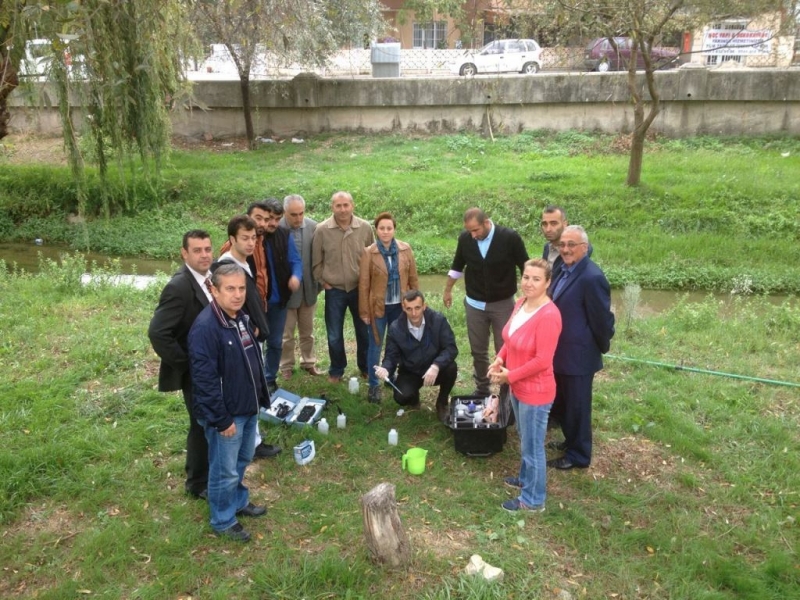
(574, 399)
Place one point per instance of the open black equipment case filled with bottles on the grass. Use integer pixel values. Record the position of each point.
(477, 440)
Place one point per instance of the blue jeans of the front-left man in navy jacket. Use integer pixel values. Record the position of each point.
(228, 458)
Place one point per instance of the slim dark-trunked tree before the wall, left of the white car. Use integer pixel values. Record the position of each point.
(305, 32)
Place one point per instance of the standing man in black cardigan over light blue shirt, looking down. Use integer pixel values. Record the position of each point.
(487, 256)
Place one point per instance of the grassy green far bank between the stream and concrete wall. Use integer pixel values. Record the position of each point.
(706, 217)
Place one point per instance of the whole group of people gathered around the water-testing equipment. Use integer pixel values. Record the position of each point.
(263, 288)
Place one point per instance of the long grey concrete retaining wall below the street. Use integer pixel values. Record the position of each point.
(695, 101)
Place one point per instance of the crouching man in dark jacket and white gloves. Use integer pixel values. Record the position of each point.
(421, 344)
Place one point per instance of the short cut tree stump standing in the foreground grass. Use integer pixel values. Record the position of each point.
(383, 531)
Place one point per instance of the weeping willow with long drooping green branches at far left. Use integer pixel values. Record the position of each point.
(114, 70)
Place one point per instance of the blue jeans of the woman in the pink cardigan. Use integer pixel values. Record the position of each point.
(532, 427)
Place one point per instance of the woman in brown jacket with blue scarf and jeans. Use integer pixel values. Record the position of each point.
(387, 272)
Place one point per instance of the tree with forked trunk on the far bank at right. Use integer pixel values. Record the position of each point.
(645, 22)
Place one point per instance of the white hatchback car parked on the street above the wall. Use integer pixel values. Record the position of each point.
(501, 56)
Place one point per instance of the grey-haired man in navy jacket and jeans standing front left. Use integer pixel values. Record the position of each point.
(229, 386)
